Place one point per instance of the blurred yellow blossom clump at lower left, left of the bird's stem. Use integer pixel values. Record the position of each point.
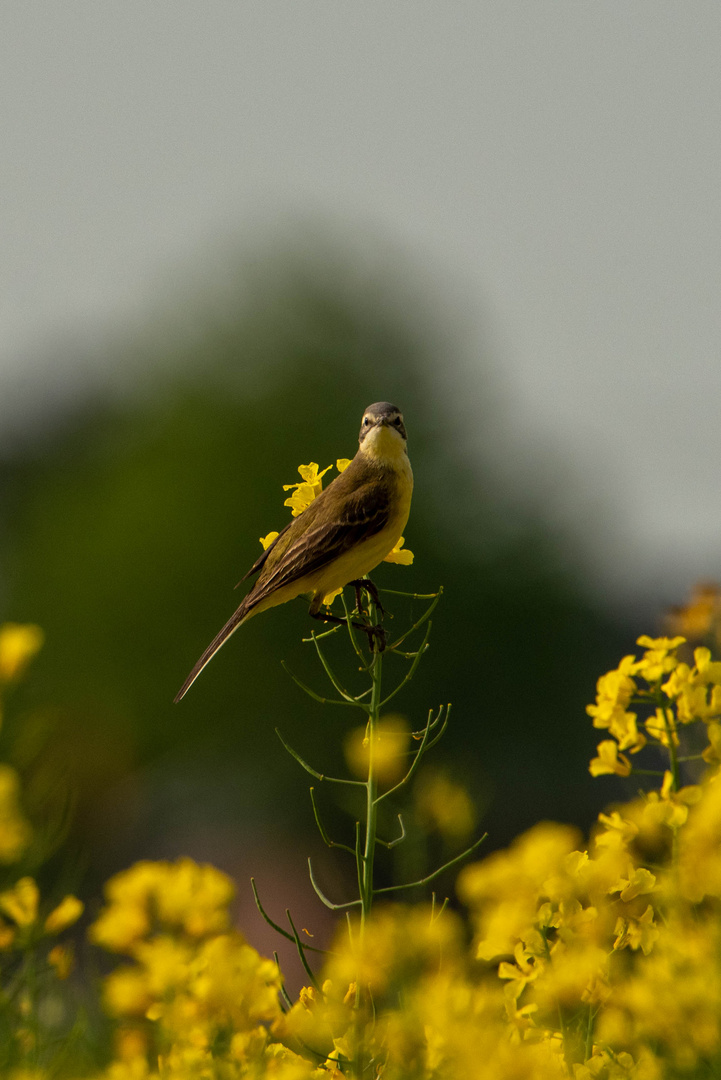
(197, 1001)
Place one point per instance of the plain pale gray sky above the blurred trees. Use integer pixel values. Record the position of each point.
(555, 167)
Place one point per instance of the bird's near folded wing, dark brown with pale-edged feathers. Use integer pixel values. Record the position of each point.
(360, 517)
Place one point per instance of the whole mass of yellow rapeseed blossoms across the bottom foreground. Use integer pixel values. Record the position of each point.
(590, 962)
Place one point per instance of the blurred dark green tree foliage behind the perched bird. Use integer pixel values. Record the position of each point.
(127, 528)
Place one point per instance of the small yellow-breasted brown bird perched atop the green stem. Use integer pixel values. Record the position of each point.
(345, 533)
